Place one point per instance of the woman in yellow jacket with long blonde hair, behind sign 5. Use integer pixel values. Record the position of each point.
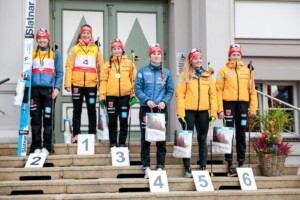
(195, 96)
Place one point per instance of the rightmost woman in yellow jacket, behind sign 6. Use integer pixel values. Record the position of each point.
(237, 99)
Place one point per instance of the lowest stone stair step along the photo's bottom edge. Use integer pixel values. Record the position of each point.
(262, 194)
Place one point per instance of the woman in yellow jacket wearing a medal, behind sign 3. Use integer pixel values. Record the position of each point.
(117, 92)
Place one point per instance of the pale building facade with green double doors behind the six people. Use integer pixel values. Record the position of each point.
(268, 31)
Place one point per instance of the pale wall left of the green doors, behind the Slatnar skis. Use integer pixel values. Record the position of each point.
(12, 21)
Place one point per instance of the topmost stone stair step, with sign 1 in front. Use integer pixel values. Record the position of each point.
(100, 148)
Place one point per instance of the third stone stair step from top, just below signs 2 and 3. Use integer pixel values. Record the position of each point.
(95, 172)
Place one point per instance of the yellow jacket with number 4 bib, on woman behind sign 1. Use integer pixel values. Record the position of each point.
(83, 65)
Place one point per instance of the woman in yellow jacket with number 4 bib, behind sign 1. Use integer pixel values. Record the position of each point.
(82, 77)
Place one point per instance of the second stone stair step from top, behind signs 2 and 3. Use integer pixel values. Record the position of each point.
(105, 159)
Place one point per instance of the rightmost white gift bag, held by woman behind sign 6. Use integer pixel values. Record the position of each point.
(222, 139)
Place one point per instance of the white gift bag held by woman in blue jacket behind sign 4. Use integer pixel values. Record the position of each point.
(155, 127)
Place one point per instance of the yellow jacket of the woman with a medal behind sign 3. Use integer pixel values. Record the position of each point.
(125, 70)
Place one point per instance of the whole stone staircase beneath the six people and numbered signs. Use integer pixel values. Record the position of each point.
(66, 175)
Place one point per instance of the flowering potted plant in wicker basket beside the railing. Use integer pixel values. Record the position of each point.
(269, 145)
